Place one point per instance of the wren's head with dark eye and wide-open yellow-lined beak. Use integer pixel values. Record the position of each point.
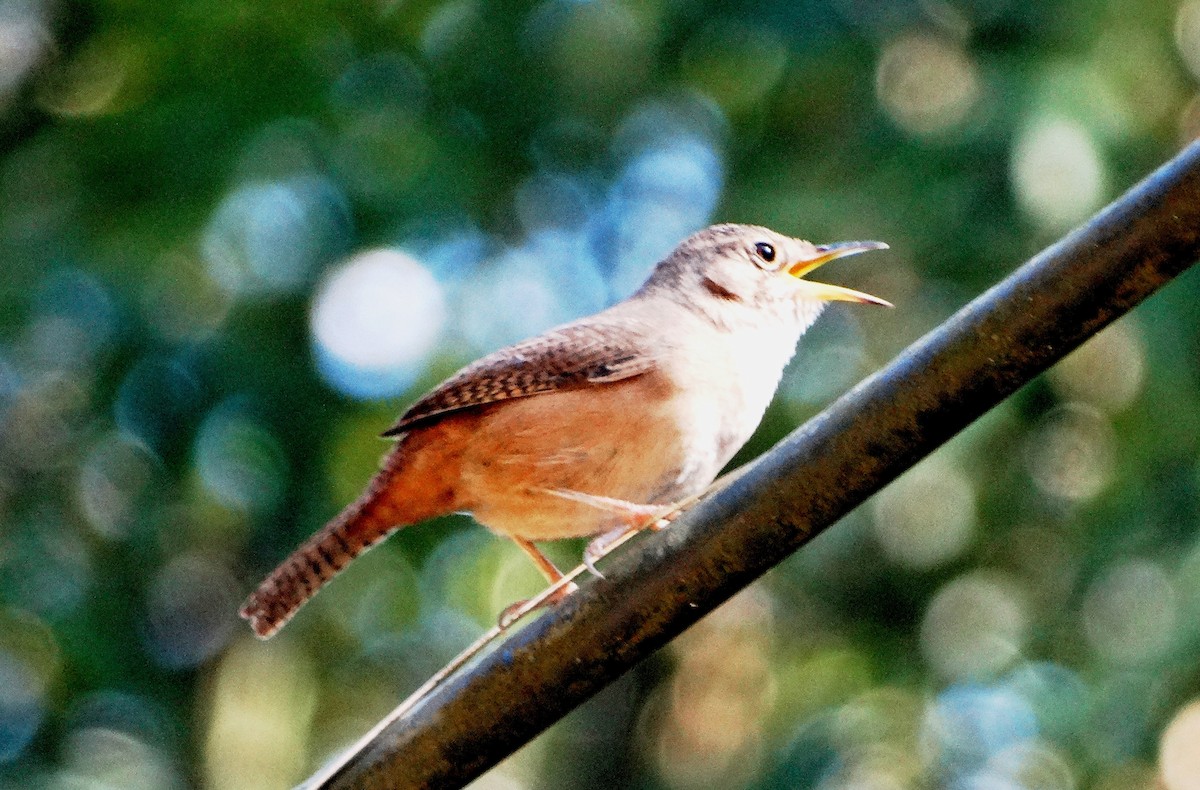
(753, 267)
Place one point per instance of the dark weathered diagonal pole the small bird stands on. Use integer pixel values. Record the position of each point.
(663, 584)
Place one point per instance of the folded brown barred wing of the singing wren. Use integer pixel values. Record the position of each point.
(572, 357)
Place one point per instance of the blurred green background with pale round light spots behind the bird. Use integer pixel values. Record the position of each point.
(238, 238)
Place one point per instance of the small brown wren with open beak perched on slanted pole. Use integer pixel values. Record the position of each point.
(591, 428)
